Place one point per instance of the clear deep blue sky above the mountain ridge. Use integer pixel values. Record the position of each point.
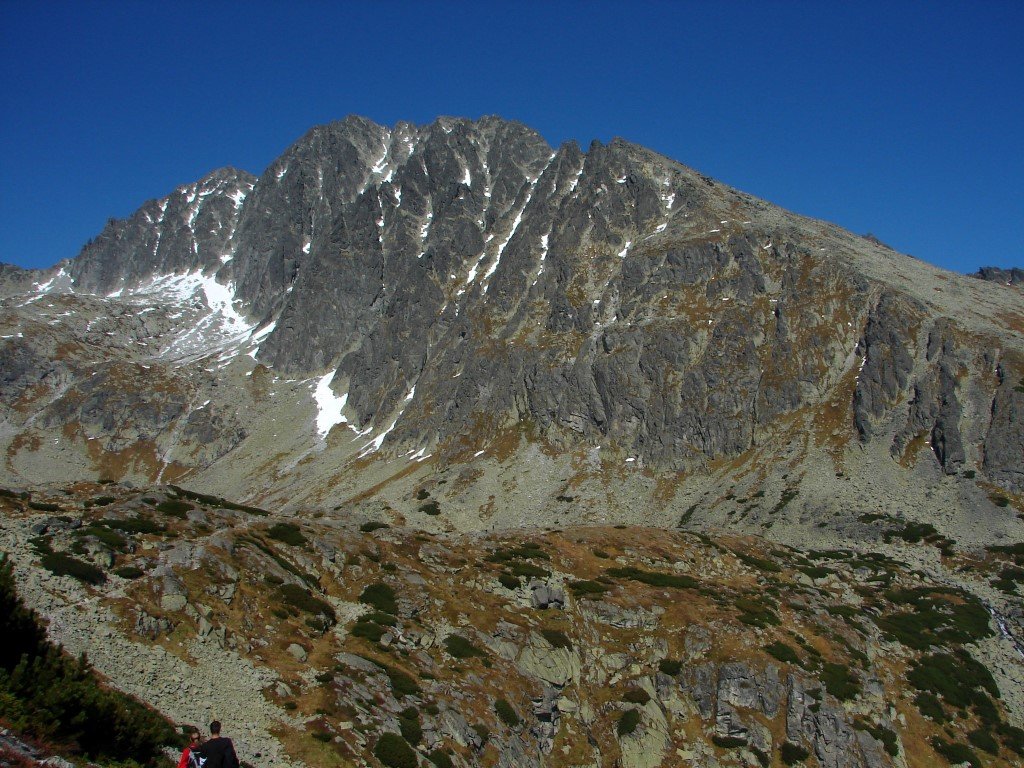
(906, 120)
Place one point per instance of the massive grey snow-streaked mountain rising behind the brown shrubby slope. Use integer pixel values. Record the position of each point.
(446, 292)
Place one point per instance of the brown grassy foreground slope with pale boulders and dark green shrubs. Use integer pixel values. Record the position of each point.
(315, 637)
